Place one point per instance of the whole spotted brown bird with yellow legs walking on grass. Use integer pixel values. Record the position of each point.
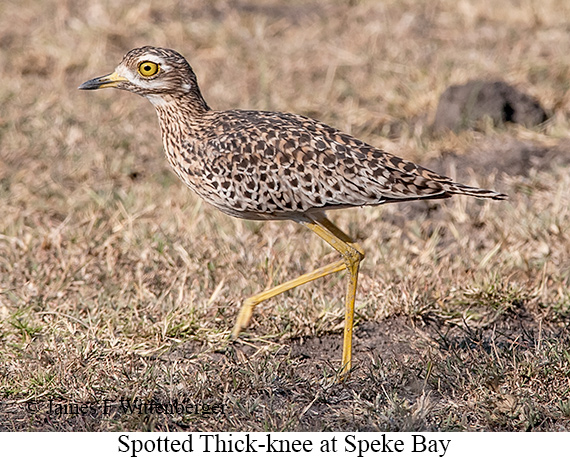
(264, 165)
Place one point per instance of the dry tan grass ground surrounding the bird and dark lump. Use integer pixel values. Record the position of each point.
(116, 282)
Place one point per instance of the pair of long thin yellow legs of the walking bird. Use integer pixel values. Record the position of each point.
(352, 255)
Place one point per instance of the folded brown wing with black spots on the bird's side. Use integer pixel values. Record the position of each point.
(276, 162)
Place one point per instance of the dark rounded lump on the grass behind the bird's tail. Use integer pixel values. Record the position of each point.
(461, 106)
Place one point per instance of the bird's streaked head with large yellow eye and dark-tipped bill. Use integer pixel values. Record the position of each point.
(154, 73)
